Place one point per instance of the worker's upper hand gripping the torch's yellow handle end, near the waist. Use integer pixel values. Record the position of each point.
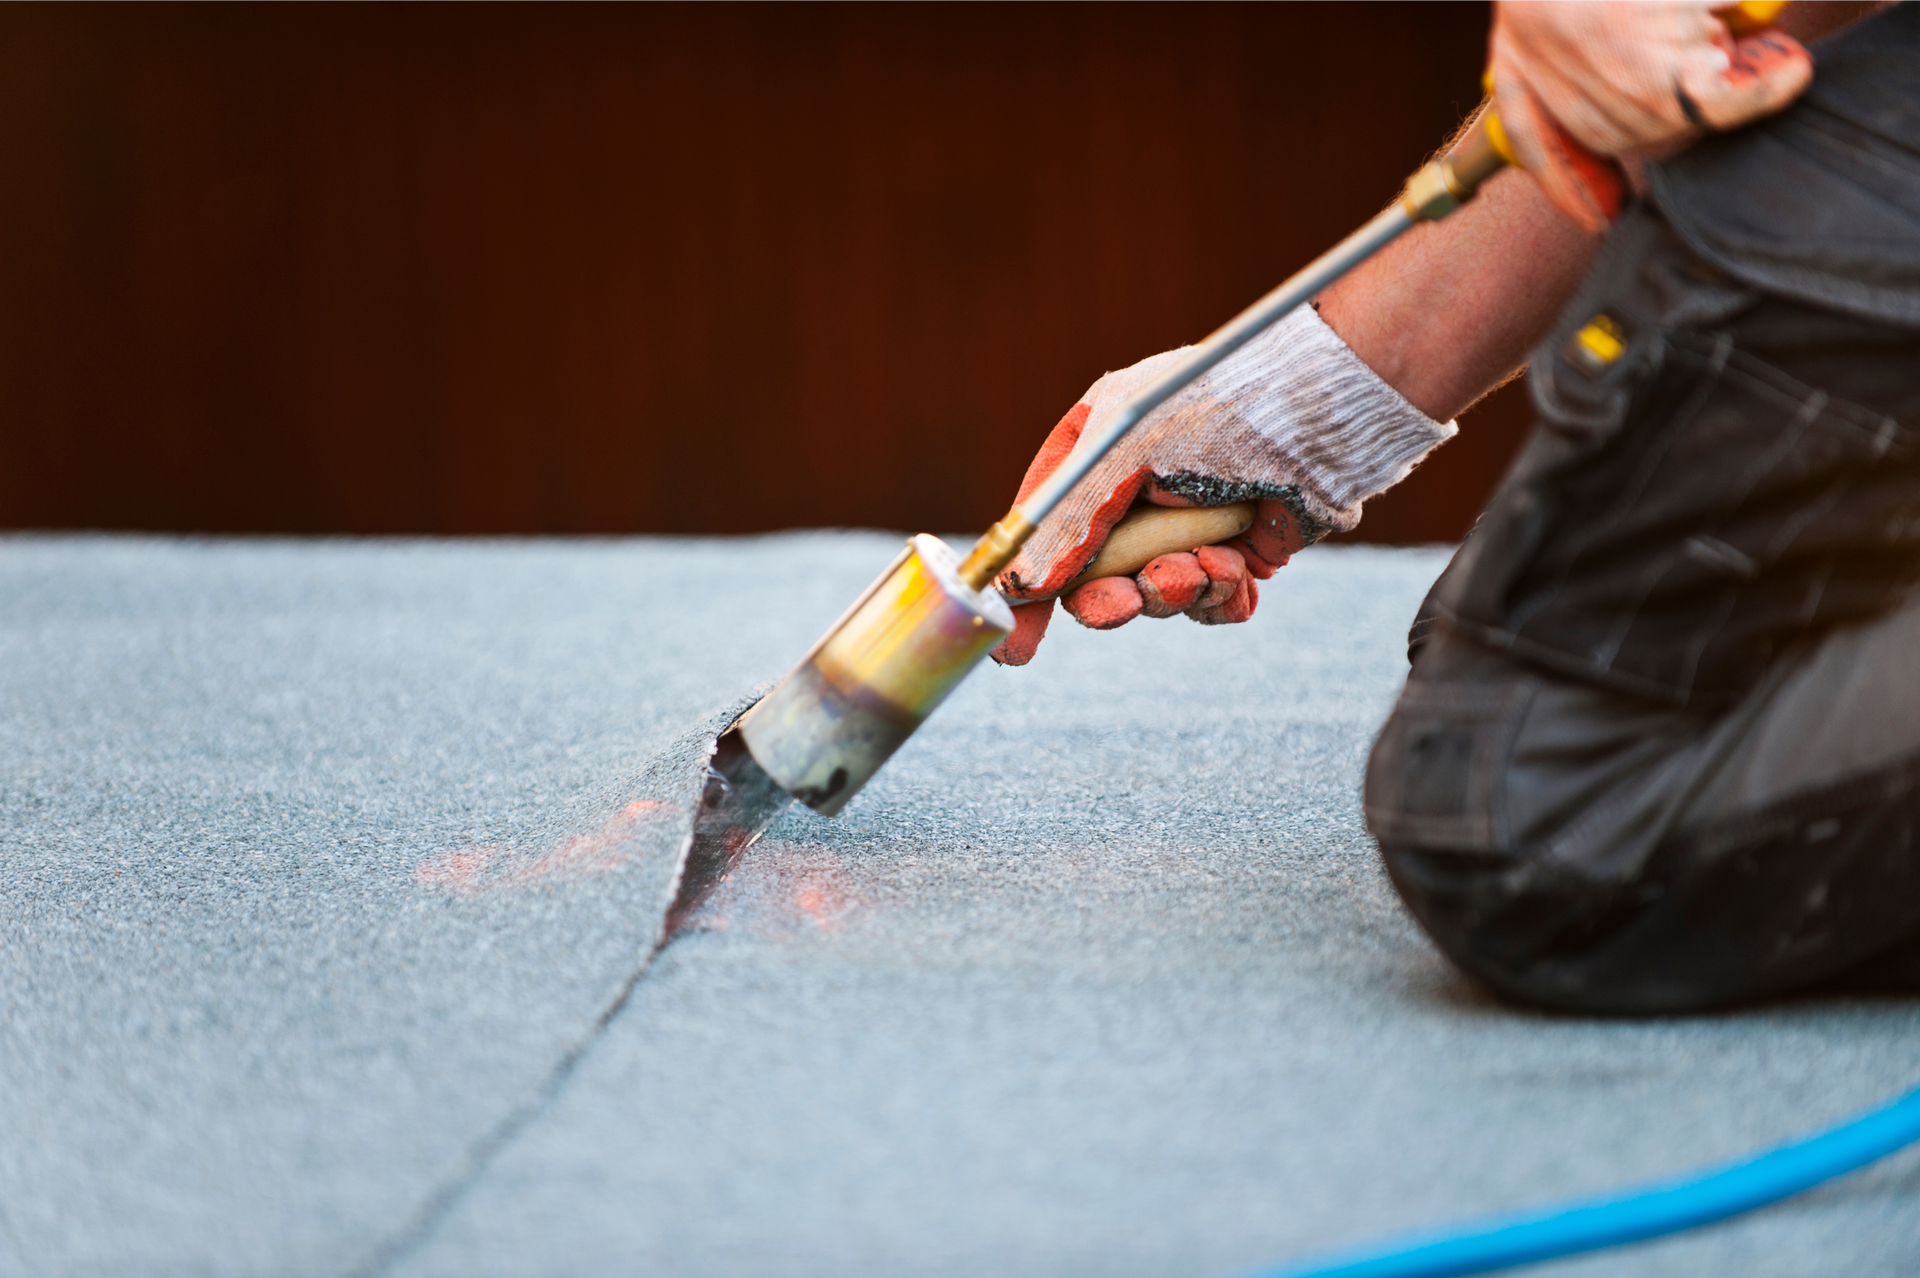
(1577, 82)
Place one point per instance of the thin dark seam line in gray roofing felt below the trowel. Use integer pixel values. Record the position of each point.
(677, 774)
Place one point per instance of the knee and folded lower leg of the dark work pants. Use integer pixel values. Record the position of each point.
(1587, 849)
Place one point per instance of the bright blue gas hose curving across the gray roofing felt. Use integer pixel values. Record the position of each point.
(1662, 1208)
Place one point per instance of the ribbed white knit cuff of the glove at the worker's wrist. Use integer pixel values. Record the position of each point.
(1303, 389)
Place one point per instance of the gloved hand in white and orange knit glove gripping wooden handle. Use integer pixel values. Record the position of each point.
(1293, 421)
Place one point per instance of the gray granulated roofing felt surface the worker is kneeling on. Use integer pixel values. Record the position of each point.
(331, 868)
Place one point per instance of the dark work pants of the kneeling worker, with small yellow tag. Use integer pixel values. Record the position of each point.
(1660, 747)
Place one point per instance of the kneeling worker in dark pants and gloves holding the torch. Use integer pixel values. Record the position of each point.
(1660, 747)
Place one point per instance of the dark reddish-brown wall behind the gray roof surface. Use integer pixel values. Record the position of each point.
(594, 268)
